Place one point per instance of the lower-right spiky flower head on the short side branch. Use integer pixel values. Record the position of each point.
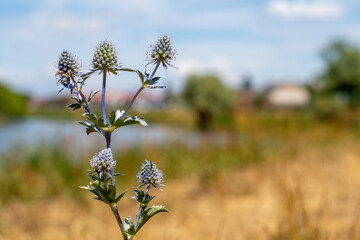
(150, 175)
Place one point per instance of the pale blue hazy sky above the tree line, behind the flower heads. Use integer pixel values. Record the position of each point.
(273, 40)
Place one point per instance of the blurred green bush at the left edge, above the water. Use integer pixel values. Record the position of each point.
(11, 103)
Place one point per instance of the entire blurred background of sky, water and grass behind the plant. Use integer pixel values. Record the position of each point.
(257, 133)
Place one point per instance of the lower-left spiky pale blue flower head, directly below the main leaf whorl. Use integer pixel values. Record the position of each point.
(103, 162)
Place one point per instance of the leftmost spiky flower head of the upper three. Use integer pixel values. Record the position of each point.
(67, 66)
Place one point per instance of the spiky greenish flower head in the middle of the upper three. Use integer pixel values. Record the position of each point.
(105, 57)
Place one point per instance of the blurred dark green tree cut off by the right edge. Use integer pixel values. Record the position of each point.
(342, 72)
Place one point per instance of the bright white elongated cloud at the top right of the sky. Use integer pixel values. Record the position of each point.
(306, 9)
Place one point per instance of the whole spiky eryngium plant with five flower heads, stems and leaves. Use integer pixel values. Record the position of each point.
(102, 173)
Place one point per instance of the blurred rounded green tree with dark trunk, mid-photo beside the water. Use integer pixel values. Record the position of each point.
(210, 99)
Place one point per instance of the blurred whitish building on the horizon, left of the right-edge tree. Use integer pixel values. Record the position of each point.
(288, 96)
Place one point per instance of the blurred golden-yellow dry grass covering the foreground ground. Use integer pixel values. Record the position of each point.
(312, 195)
